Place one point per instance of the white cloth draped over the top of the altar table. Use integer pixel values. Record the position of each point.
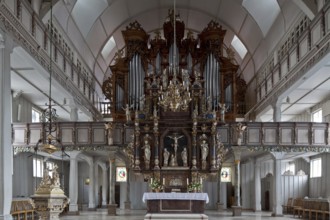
(175, 196)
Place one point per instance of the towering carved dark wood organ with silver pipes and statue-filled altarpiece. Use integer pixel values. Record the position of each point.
(175, 131)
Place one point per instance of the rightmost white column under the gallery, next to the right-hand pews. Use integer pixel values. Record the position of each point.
(277, 186)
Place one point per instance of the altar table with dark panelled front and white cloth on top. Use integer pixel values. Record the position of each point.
(175, 202)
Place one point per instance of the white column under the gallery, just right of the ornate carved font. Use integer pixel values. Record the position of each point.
(73, 182)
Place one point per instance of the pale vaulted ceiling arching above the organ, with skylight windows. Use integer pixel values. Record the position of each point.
(95, 26)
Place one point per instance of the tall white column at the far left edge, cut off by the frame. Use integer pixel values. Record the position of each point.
(6, 156)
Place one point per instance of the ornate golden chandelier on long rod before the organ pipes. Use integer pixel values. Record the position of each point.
(175, 96)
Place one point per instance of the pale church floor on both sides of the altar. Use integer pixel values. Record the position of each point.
(139, 215)
